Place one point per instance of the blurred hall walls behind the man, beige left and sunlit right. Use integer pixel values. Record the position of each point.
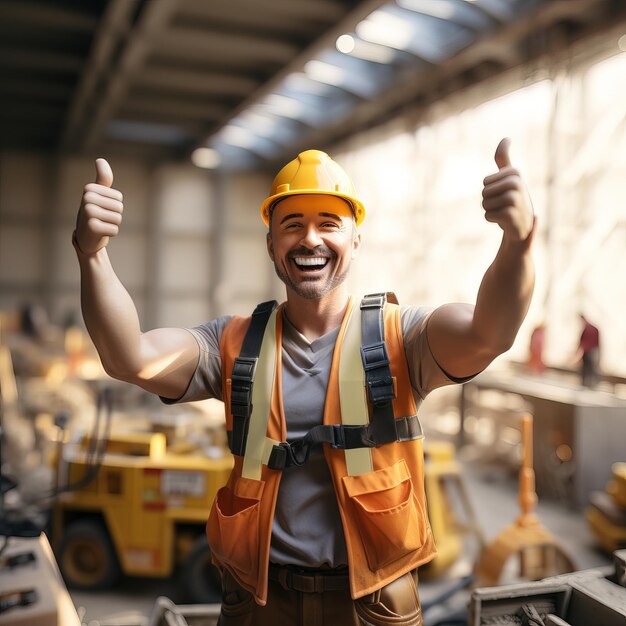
(192, 245)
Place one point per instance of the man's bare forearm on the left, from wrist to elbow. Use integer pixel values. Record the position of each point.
(110, 315)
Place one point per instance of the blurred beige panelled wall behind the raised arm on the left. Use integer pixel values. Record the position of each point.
(191, 244)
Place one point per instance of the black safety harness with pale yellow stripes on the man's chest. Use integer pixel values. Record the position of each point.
(357, 434)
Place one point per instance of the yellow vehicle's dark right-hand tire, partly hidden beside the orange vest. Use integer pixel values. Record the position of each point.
(199, 576)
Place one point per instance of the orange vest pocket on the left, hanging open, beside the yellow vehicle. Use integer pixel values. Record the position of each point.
(233, 525)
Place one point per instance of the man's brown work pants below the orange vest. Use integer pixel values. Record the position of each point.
(396, 604)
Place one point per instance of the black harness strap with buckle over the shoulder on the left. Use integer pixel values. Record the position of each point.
(242, 379)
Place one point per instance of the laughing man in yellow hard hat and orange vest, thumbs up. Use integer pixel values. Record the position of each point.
(341, 540)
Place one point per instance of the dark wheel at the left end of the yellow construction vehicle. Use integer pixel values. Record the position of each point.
(87, 557)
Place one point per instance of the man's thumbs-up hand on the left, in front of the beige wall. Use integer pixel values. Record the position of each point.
(100, 212)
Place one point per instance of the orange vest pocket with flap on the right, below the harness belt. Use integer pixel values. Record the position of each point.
(388, 516)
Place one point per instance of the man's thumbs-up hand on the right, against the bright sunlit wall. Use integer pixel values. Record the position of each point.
(506, 200)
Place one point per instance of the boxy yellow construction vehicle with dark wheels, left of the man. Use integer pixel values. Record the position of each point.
(142, 513)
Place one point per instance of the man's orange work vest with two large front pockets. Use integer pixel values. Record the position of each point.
(383, 511)
